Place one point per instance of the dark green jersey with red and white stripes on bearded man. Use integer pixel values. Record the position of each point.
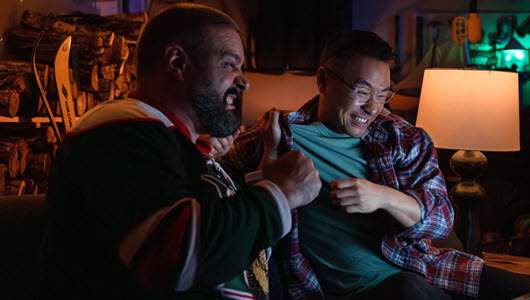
(138, 212)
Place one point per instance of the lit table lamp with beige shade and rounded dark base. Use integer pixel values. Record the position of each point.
(470, 111)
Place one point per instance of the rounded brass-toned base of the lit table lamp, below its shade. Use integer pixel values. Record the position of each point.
(466, 195)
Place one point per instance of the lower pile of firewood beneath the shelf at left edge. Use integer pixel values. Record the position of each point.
(24, 165)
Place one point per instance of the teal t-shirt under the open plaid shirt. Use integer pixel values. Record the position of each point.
(344, 249)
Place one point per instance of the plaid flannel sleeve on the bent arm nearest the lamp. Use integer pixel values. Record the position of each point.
(420, 177)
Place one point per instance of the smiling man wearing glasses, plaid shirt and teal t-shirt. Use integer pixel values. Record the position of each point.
(383, 196)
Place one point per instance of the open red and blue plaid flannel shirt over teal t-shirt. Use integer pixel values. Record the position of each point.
(400, 156)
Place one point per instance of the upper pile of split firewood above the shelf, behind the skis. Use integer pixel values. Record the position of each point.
(102, 66)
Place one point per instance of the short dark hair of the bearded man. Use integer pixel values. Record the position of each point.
(185, 24)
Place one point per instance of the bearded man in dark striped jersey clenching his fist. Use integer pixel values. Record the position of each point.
(138, 208)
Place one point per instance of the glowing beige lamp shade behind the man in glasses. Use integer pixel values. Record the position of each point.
(470, 109)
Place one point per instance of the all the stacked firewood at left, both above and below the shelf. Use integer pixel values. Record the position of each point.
(101, 68)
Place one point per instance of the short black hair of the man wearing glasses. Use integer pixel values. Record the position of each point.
(341, 46)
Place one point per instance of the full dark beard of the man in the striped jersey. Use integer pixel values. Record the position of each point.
(210, 107)
